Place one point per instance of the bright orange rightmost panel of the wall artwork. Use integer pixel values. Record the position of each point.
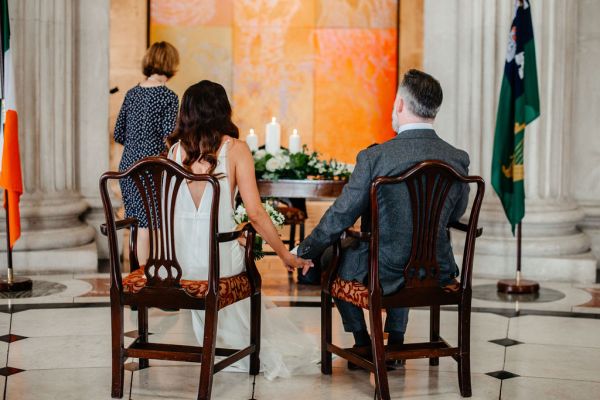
(355, 85)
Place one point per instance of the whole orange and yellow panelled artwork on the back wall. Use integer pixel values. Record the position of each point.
(325, 67)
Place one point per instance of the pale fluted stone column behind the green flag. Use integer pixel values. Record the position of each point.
(465, 45)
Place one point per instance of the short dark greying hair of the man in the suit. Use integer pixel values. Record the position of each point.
(422, 93)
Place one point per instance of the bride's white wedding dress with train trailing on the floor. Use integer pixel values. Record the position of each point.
(285, 349)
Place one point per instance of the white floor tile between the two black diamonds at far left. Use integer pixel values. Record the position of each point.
(83, 351)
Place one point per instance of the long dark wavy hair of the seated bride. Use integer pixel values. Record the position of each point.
(204, 117)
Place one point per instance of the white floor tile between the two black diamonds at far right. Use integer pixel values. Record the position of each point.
(558, 362)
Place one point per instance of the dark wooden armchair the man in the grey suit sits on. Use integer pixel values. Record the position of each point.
(428, 185)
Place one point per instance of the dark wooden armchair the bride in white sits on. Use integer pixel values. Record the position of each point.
(159, 283)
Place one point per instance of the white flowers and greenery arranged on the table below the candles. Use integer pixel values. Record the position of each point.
(302, 165)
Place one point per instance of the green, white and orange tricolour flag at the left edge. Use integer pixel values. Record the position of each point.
(10, 174)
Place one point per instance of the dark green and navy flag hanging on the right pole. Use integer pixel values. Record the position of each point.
(519, 104)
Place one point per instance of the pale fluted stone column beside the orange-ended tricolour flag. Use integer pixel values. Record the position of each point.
(45, 57)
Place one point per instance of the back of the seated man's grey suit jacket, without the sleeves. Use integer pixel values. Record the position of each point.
(392, 158)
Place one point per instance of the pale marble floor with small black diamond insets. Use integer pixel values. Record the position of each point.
(57, 346)
